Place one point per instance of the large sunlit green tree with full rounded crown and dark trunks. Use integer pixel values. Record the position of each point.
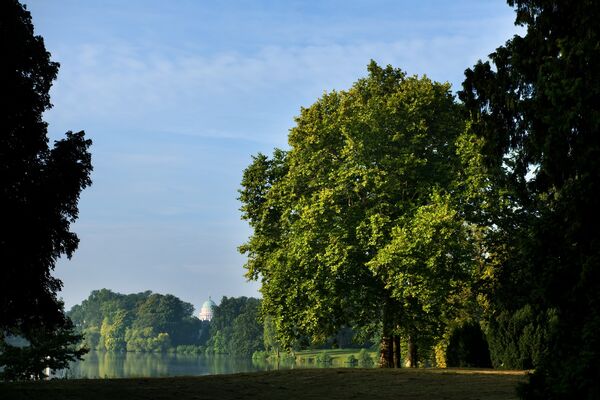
(354, 226)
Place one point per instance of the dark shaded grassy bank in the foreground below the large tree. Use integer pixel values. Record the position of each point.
(330, 384)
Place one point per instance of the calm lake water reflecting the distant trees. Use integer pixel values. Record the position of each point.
(128, 365)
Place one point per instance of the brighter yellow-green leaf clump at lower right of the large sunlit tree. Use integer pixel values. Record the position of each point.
(428, 259)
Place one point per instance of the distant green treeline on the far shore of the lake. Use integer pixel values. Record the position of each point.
(152, 322)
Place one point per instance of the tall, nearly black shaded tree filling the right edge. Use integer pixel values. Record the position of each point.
(535, 105)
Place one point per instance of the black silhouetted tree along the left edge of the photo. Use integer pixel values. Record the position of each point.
(39, 188)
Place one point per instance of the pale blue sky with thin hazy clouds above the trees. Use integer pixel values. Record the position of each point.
(178, 95)
